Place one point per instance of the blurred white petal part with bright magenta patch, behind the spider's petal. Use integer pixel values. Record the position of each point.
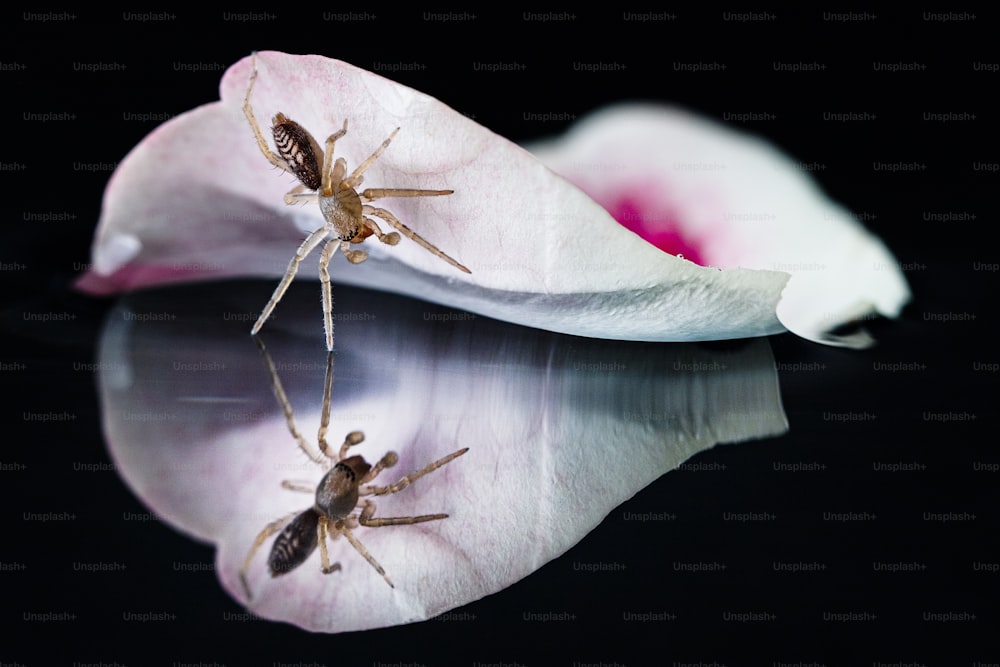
(729, 200)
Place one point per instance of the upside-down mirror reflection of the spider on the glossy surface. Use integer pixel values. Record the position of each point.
(341, 491)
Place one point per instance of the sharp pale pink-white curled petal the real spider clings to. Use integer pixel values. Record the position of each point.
(196, 199)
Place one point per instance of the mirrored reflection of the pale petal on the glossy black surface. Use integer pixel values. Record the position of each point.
(561, 430)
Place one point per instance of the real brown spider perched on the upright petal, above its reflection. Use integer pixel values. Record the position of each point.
(346, 211)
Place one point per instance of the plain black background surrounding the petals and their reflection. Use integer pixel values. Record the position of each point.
(947, 264)
